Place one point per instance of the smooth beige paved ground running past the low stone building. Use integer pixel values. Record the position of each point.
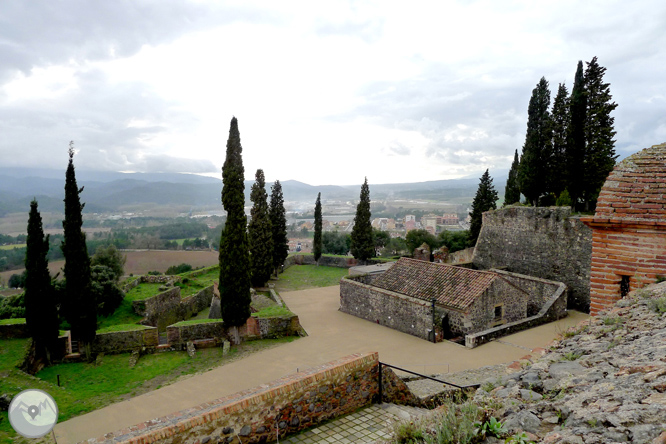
(332, 334)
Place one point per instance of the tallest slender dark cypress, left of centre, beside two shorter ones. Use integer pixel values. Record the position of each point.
(234, 252)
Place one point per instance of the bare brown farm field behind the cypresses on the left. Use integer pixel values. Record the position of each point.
(143, 261)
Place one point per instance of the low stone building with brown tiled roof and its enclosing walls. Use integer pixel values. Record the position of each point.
(425, 299)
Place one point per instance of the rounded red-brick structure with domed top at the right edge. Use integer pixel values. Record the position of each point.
(629, 228)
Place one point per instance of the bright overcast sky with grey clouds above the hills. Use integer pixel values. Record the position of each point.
(324, 92)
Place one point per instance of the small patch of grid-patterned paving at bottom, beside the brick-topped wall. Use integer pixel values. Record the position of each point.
(364, 426)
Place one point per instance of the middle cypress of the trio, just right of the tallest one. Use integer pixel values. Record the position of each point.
(260, 233)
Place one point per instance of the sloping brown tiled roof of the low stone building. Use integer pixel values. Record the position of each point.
(451, 286)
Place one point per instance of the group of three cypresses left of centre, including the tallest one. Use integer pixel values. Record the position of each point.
(248, 253)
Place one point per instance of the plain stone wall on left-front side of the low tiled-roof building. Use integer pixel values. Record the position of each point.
(394, 310)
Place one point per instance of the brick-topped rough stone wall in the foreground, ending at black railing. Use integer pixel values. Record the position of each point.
(284, 406)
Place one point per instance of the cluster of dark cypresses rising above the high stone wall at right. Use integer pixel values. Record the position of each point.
(569, 150)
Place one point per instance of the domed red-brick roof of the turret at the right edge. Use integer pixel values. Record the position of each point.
(636, 188)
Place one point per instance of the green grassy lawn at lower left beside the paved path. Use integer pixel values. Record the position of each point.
(87, 387)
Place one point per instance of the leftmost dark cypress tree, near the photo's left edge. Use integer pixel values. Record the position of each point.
(41, 315)
